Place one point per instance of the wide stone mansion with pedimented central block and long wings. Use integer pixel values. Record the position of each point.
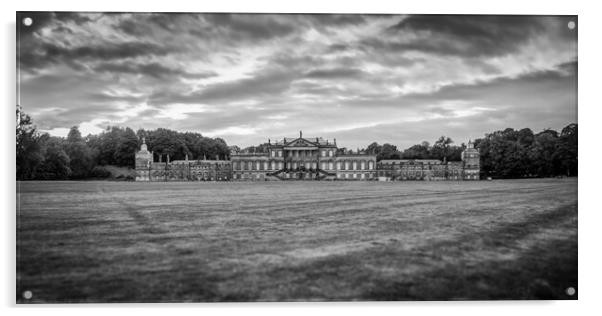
(305, 159)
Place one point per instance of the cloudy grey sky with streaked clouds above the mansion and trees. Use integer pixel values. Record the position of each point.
(248, 78)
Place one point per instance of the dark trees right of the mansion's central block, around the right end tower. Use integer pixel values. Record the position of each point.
(507, 153)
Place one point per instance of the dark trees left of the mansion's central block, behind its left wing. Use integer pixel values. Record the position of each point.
(44, 157)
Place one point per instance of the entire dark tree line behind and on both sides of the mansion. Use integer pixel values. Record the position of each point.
(504, 154)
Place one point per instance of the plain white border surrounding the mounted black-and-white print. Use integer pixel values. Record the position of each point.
(589, 115)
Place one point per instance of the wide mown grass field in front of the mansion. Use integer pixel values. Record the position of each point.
(296, 241)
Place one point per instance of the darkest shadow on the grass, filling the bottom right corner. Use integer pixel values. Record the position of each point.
(540, 274)
